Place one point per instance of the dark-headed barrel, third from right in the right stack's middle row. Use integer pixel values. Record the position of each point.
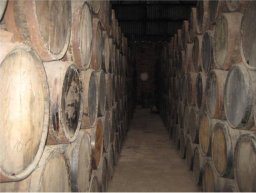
(200, 90)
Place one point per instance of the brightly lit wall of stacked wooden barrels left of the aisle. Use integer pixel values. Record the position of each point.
(66, 95)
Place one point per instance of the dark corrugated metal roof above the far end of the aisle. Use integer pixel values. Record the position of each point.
(151, 19)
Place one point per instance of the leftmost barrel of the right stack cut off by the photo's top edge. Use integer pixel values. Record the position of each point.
(203, 15)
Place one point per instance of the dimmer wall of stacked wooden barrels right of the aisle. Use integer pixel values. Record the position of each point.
(209, 88)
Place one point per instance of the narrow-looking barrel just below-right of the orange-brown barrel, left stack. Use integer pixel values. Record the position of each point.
(102, 175)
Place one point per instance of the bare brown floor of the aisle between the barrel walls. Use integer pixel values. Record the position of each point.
(149, 160)
